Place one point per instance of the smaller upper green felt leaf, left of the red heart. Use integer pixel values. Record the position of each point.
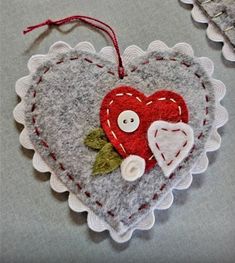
(96, 139)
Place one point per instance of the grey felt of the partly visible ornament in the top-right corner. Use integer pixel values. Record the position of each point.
(222, 14)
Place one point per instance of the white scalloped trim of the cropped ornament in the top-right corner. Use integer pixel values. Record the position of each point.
(212, 31)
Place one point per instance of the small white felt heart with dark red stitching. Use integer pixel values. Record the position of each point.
(170, 143)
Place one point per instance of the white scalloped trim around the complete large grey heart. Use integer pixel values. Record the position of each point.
(94, 222)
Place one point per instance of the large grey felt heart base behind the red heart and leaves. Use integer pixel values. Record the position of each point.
(63, 105)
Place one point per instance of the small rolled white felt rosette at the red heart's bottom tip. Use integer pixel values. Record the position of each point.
(132, 168)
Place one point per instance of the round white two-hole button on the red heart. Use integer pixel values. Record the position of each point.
(128, 121)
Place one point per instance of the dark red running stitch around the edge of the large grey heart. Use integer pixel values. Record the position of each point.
(53, 155)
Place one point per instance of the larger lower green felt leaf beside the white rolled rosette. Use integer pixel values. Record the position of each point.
(107, 160)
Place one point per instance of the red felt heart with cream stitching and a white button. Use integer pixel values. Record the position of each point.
(126, 114)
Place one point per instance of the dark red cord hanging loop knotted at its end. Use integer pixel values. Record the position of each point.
(92, 22)
